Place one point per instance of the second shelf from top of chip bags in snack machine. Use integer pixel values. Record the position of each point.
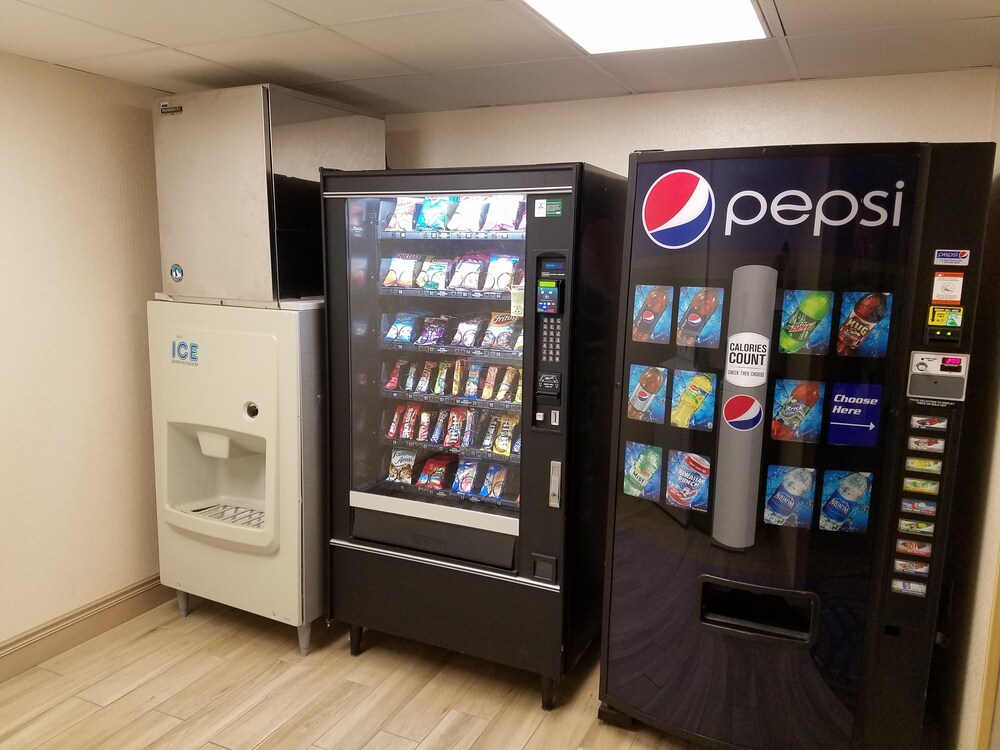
(480, 271)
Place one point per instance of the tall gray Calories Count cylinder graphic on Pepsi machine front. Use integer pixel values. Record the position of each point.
(744, 395)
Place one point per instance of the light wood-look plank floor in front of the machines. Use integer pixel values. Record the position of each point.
(221, 678)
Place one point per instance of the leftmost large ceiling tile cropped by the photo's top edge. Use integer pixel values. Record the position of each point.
(180, 22)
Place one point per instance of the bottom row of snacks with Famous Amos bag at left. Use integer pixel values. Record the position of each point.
(477, 480)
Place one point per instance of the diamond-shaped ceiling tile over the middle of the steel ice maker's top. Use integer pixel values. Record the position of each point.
(298, 57)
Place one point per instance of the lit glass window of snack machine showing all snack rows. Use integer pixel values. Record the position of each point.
(437, 342)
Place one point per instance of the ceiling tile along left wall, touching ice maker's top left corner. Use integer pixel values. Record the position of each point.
(165, 70)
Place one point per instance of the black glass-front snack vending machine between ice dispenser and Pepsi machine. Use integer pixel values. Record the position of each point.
(477, 312)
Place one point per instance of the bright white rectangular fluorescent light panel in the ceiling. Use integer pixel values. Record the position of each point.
(622, 25)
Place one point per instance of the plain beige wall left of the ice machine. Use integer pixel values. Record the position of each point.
(80, 255)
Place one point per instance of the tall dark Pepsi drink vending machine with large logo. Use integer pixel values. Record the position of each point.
(791, 382)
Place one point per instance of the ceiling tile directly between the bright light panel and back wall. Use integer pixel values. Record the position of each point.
(714, 66)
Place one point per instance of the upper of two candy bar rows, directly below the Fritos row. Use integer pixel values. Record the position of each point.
(460, 378)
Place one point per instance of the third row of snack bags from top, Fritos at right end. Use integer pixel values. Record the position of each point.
(409, 327)
